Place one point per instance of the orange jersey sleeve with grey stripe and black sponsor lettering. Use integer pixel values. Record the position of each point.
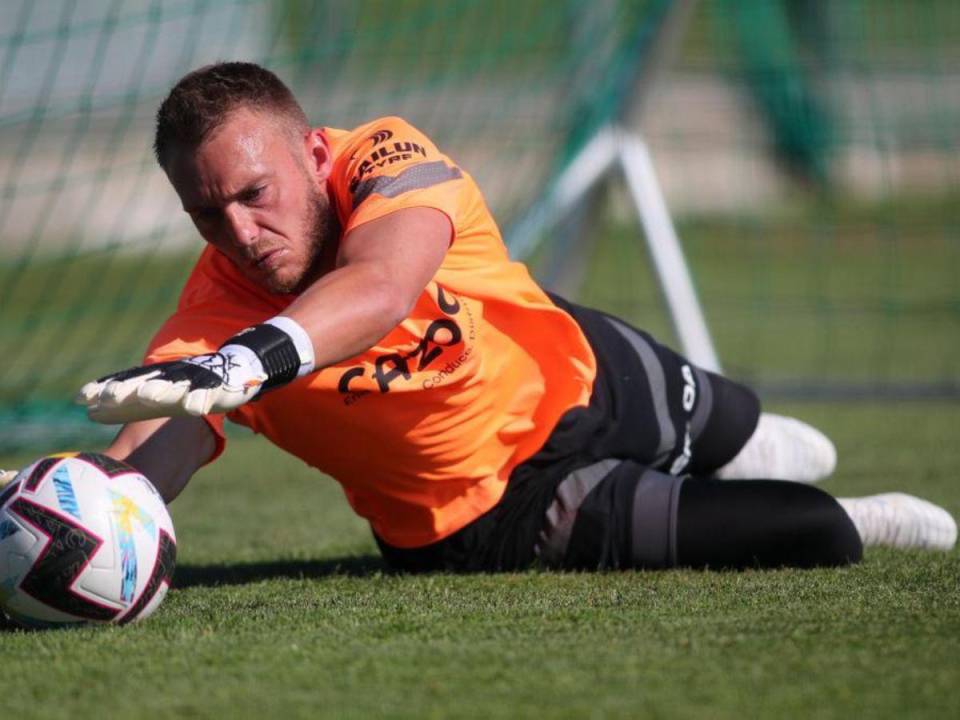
(389, 165)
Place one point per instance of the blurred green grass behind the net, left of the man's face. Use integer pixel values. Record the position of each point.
(93, 313)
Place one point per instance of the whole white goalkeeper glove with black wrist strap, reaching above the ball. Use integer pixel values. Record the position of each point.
(260, 358)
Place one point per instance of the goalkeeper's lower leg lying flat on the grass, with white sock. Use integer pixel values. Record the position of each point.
(618, 514)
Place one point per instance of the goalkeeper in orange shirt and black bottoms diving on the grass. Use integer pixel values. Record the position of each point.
(356, 305)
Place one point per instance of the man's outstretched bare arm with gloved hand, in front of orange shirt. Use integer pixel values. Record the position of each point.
(382, 268)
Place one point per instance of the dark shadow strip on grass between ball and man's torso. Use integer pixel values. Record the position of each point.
(187, 576)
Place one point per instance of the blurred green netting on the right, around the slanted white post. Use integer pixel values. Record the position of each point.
(809, 154)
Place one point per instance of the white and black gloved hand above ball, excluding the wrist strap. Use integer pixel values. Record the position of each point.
(215, 383)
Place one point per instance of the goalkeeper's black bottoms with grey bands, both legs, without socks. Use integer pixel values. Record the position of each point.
(626, 481)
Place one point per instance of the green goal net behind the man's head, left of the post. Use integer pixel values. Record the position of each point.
(94, 247)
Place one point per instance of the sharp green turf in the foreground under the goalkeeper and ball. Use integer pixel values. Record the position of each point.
(283, 609)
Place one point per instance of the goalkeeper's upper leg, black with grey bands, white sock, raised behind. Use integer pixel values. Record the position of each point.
(667, 413)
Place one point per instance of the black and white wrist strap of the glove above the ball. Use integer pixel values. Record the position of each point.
(283, 347)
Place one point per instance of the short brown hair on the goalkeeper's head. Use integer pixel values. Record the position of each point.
(200, 102)
